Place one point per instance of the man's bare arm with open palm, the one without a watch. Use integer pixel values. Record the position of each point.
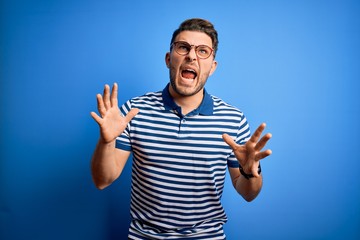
(108, 162)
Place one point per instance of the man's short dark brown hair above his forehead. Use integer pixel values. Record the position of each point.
(199, 25)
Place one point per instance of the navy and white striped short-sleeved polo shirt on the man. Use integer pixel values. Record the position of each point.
(179, 165)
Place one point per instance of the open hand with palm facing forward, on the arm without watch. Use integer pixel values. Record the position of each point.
(110, 121)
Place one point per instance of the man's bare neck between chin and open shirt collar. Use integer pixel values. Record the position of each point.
(187, 103)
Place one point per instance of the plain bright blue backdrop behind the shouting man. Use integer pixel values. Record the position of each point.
(292, 64)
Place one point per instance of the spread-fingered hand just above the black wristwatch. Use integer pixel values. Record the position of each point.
(251, 153)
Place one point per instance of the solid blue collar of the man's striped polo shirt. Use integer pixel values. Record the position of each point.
(205, 108)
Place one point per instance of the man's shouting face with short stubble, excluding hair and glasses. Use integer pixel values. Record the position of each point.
(189, 73)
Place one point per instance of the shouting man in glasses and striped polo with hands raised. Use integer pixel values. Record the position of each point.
(183, 140)
